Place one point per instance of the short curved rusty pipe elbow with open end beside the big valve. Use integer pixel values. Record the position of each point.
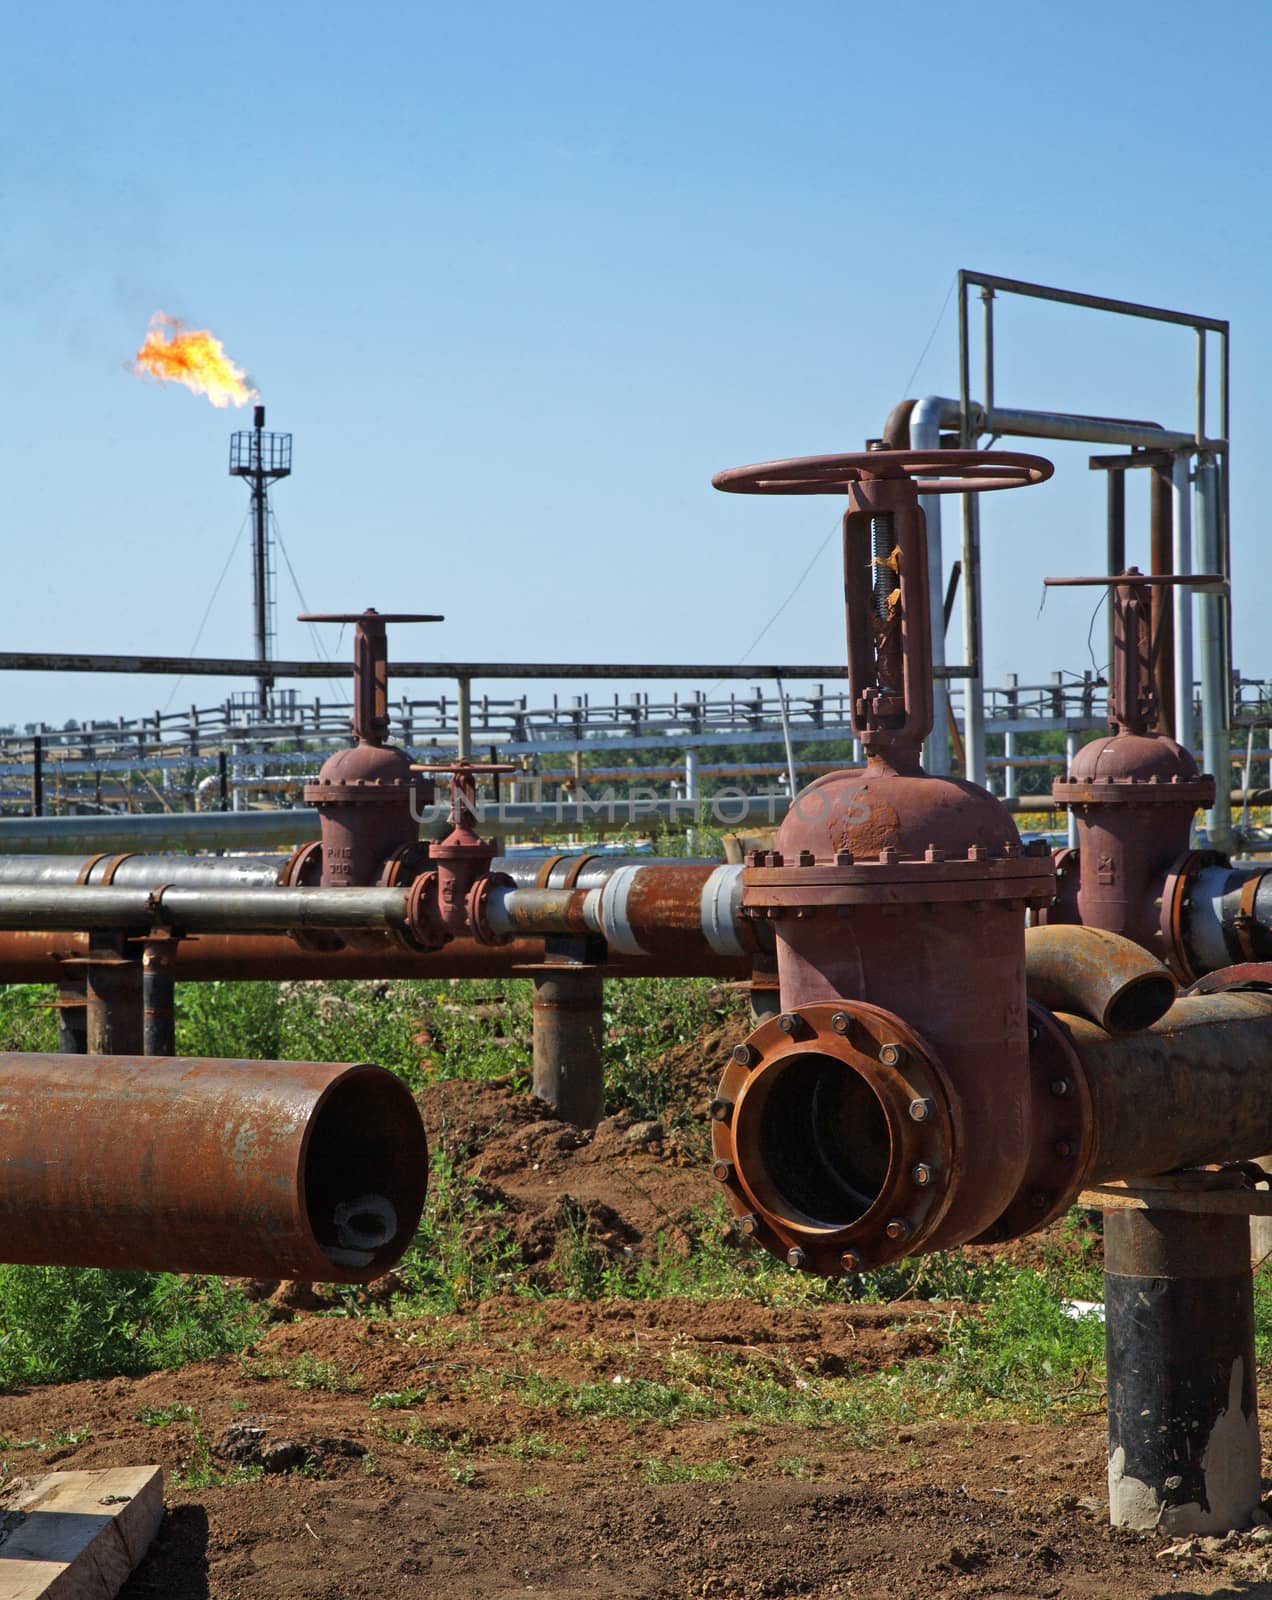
(1097, 975)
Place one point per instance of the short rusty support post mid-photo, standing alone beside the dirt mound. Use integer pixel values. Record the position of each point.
(569, 1033)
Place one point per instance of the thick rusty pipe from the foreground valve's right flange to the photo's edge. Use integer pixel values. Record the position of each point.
(1191, 1090)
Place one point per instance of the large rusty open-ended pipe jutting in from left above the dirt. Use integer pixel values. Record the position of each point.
(254, 1169)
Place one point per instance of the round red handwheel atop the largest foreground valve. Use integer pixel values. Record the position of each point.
(932, 471)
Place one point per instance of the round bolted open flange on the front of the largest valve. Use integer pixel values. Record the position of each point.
(833, 1137)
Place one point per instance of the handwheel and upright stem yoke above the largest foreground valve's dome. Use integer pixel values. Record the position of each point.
(886, 566)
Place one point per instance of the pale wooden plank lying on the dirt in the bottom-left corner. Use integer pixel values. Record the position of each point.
(79, 1535)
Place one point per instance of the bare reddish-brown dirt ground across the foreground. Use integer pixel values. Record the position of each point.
(479, 1481)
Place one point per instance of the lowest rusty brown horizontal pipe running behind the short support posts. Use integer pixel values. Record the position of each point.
(225, 958)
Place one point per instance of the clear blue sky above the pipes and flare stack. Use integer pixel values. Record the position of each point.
(522, 278)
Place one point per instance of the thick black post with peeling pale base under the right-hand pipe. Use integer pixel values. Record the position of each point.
(1180, 1338)
